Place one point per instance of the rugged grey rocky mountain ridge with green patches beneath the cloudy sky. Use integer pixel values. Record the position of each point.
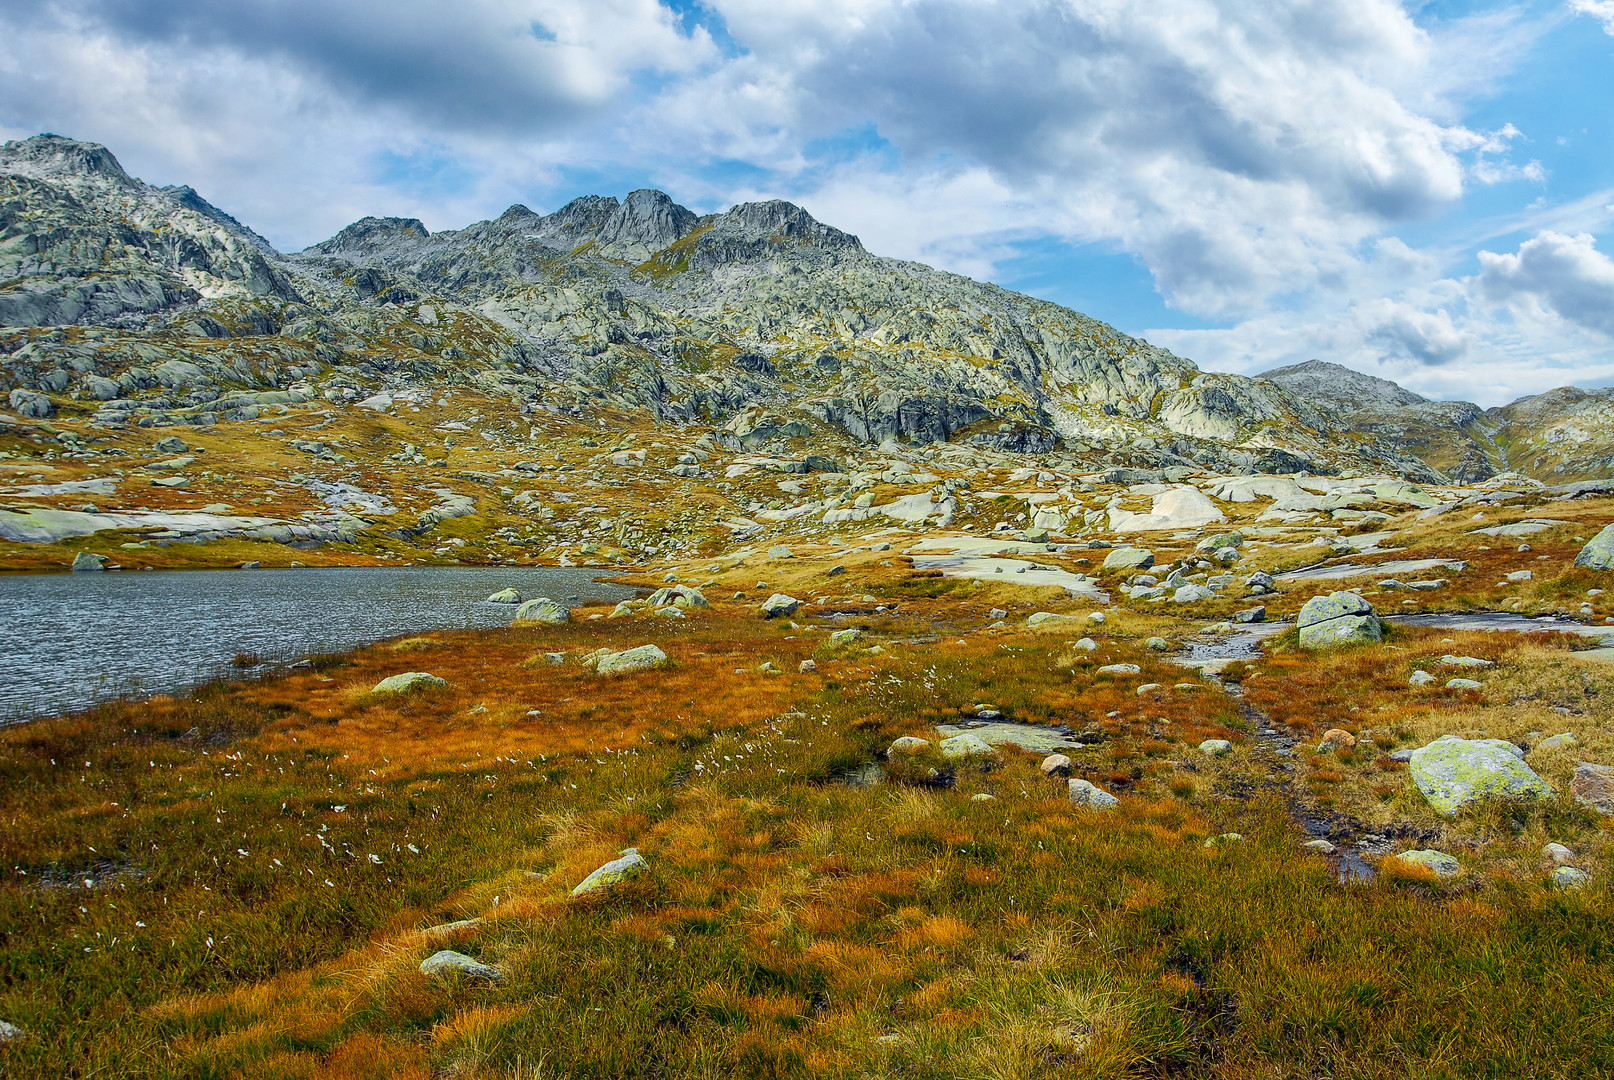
(648, 308)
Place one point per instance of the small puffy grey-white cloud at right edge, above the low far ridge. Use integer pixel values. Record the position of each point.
(1563, 274)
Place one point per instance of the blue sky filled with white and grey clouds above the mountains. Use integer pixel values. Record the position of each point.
(1421, 191)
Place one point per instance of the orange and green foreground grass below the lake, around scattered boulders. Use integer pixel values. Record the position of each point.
(267, 860)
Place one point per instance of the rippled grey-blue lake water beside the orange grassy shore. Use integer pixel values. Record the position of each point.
(69, 642)
